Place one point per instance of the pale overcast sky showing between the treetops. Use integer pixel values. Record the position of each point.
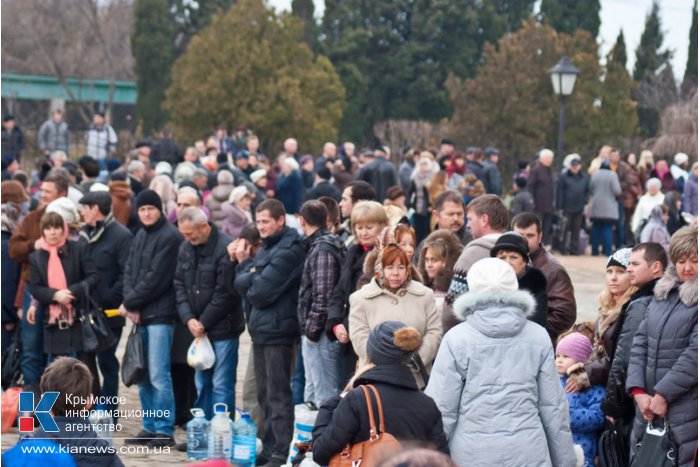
(676, 17)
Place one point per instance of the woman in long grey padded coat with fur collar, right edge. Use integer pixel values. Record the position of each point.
(663, 371)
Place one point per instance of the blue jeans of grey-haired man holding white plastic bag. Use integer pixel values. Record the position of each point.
(218, 384)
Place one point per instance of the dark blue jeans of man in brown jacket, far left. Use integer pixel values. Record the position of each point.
(32, 359)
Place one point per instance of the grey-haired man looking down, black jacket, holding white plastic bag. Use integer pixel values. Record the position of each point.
(208, 305)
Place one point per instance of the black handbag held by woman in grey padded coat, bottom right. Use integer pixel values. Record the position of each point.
(655, 448)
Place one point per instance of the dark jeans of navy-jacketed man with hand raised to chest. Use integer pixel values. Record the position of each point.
(273, 365)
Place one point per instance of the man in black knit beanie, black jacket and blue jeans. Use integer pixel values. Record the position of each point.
(149, 300)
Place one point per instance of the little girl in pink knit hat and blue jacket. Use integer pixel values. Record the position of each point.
(584, 407)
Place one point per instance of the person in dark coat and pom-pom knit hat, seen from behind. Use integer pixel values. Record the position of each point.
(408, 414)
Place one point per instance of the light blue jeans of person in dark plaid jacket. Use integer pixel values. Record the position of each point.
(321, 373)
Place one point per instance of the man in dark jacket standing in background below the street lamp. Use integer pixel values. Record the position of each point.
(572, 197)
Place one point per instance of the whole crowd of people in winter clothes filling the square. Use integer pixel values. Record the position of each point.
(422, 280)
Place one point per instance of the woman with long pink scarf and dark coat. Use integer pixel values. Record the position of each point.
(60, 270)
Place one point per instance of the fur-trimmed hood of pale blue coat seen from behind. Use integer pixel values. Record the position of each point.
(495, 313)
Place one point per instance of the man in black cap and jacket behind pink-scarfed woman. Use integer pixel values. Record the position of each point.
(108, 245)
